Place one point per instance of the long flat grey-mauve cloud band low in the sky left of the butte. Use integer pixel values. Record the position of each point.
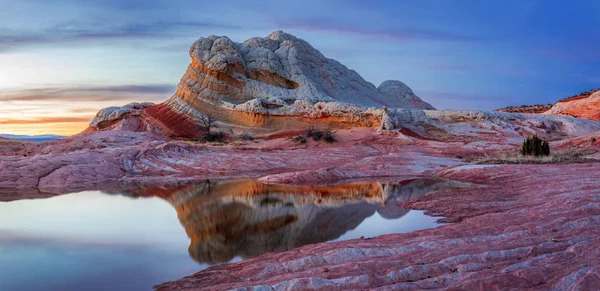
(148, 92)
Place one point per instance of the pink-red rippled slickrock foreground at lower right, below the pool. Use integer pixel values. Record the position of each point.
(535, 227)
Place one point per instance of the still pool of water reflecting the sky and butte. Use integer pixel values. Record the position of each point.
(132, 240)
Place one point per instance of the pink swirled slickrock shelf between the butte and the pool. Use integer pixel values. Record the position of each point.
(94, 160)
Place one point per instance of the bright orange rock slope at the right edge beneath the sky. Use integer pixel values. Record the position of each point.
(584, 107)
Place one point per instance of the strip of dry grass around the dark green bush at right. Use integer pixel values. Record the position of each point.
(514, 157)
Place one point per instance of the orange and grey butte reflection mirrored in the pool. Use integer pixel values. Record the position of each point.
(229, 218)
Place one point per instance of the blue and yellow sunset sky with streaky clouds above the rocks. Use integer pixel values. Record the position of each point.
(63, 60)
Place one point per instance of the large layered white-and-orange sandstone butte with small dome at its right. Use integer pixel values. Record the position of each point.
(264, 84)
